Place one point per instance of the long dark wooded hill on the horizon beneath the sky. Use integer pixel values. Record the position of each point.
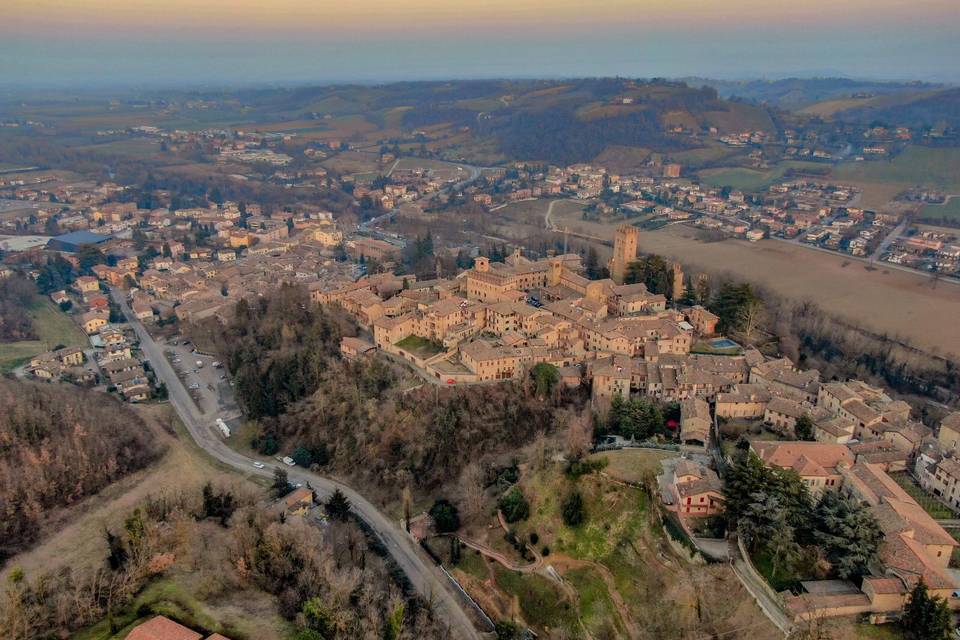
(550, 120)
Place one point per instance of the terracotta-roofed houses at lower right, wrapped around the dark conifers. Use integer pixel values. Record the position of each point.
(860, 436)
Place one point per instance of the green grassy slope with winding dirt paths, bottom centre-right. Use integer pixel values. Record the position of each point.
(619, 554)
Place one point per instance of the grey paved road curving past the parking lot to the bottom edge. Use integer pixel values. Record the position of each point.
(425, 578)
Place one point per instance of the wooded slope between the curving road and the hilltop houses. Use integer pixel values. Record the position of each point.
(358, 417)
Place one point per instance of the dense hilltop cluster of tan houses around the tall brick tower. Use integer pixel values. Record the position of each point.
(498, 319)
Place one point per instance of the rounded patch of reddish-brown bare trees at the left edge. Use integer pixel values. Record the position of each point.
(58, 445)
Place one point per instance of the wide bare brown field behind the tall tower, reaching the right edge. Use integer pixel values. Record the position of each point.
(911, 307)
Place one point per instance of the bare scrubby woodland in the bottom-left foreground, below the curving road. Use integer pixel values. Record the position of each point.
(327, 583)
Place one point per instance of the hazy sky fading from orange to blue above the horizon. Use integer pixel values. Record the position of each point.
(158, 43)
